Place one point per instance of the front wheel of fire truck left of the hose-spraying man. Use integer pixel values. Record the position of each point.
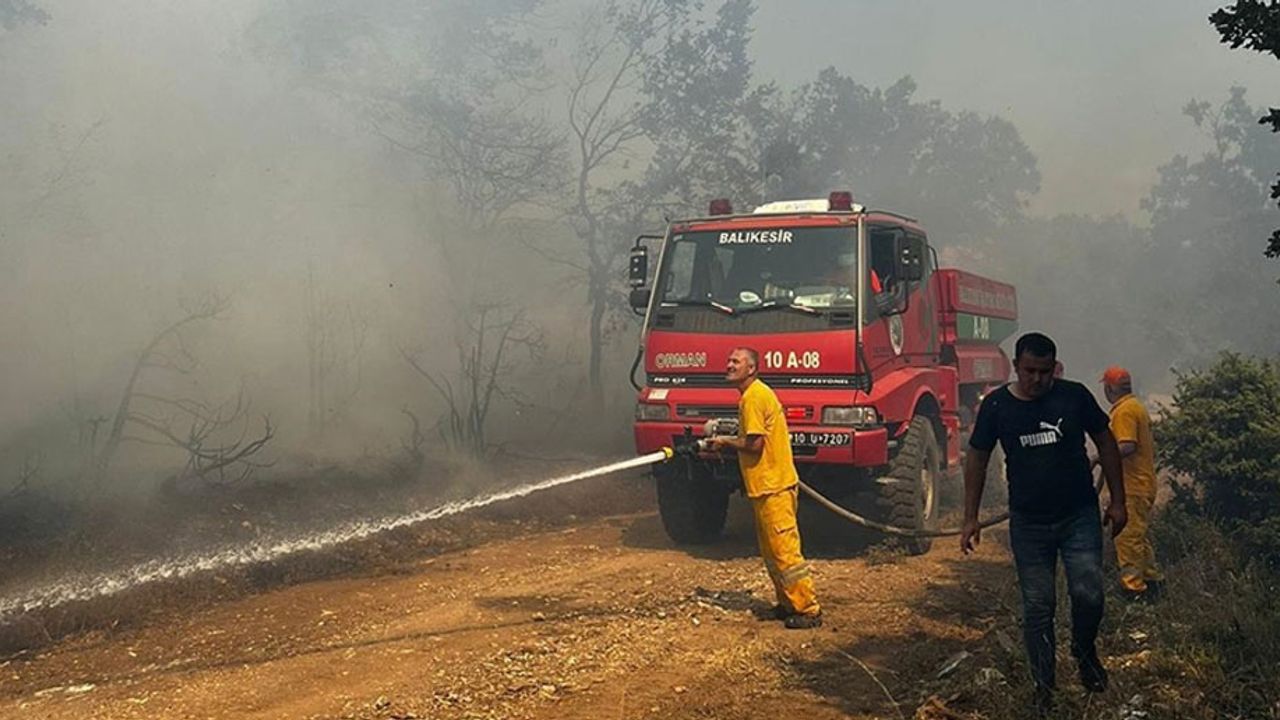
(692, 503)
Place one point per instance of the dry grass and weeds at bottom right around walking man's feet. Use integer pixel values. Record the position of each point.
(1210, 650)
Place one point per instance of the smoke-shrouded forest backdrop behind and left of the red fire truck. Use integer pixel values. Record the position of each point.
(239, 234)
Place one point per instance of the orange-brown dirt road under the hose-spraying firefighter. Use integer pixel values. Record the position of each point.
(600, 619)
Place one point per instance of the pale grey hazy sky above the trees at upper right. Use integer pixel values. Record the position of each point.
(1096, 89)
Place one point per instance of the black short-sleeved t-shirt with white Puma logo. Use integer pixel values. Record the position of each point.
(1044, 443)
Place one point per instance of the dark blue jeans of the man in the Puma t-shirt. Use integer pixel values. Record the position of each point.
(1037, 545)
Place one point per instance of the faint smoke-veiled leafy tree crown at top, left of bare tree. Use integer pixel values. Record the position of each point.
(446, 81)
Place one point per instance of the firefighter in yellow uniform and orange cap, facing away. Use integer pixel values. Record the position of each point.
(1132, 429)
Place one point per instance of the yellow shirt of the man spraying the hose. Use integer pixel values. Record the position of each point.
(761, 414)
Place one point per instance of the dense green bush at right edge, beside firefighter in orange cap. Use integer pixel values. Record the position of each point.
(1224, 434)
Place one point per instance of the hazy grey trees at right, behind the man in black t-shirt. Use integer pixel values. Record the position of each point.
(1171, 295)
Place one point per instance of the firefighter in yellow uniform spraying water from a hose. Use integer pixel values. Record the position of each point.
(764, 449)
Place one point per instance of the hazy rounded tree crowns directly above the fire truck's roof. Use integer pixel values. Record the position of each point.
(968, 175)
